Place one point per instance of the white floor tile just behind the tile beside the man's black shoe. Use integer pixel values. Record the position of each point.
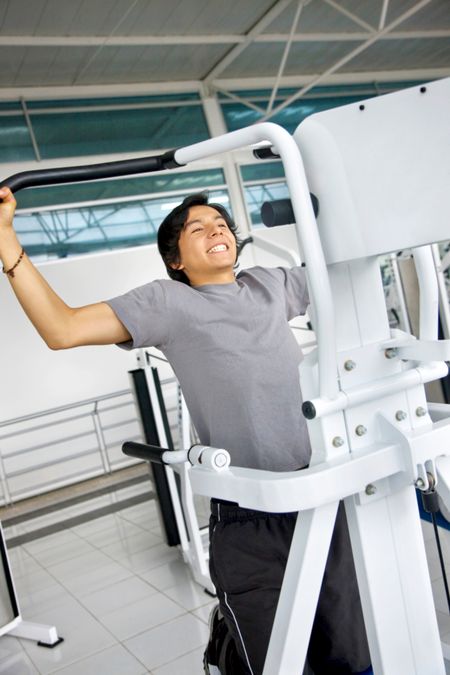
(139, 616)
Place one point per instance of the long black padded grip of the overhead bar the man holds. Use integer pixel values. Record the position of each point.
(87, 172)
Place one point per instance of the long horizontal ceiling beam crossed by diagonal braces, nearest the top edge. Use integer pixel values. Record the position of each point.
(163, 40)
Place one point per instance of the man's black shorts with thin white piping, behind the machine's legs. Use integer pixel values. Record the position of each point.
(248, 555)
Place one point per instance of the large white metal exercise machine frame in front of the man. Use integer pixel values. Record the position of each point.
(375, 439)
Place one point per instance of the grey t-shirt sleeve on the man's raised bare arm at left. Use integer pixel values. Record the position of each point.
(145, 313)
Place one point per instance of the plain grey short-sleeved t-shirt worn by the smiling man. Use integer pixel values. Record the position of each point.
(235, 357)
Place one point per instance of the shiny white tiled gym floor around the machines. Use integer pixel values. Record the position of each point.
(121, 599)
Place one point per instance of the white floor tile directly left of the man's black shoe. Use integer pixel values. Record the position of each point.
(165, 643)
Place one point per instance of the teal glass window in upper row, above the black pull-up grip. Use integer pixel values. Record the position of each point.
(78, 127)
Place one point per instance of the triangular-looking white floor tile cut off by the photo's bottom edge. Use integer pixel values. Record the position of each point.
(113, 661)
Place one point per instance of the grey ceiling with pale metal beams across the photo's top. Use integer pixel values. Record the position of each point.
(74, 46)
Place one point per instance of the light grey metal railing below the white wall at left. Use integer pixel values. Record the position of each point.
(52, 448)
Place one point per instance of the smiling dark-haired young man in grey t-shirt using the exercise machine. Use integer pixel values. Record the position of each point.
(228, 340)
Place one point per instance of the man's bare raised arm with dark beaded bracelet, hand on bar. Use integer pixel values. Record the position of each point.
(59, 325)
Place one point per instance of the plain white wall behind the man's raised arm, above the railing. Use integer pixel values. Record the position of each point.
(36, 378)
